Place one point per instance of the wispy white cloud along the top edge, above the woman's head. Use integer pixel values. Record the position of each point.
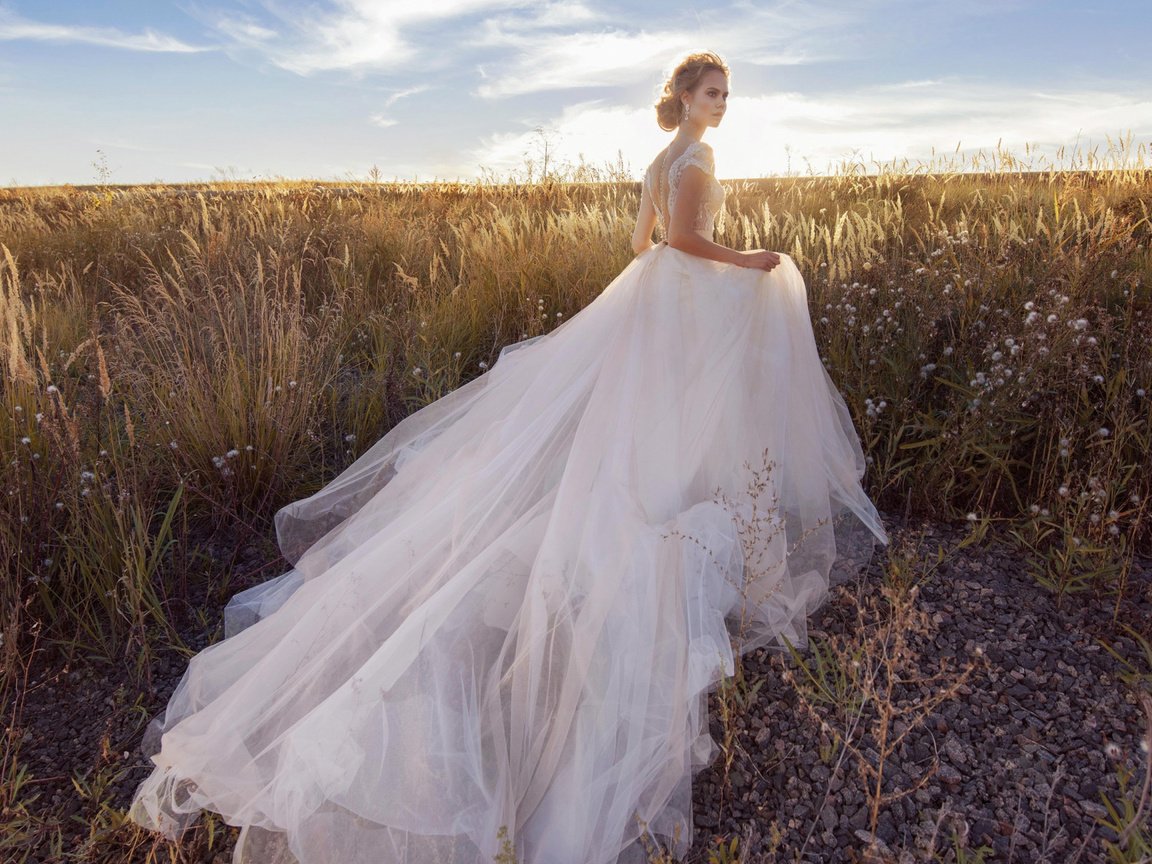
(539, 46)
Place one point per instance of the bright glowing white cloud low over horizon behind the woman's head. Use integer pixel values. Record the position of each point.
(915, 122)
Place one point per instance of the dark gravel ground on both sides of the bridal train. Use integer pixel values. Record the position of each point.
(1017, 760)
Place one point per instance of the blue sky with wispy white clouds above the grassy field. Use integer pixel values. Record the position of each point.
(141, 92)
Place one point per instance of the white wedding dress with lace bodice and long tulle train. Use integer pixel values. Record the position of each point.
(510, 611)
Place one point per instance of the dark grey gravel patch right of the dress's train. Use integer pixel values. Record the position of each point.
(1021, 754)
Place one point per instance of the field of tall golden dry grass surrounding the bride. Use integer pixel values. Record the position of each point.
(180, 362)
